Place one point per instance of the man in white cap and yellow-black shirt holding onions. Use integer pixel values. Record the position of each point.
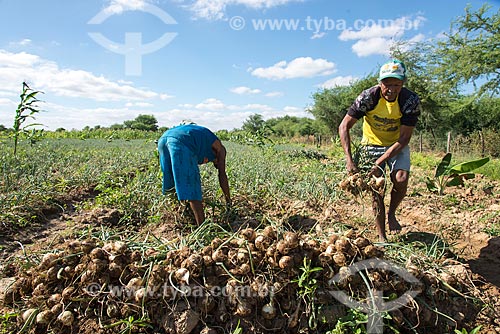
(390, 112)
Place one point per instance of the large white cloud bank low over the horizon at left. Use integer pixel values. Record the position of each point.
(77, 98)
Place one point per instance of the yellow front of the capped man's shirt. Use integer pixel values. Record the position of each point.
(381, 125)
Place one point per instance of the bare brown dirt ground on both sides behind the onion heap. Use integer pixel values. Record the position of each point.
(459, 218)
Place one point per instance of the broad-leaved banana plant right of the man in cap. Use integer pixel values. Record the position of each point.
(454, 175)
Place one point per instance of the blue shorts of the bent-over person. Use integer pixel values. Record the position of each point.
(180, 169)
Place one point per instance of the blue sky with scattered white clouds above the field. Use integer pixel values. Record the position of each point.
(215, 62)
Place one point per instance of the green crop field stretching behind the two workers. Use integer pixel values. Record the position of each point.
(124, 174)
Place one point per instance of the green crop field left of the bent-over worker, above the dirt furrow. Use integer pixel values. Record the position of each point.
(42, 177)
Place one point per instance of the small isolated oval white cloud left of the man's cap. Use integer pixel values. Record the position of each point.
(302, 67)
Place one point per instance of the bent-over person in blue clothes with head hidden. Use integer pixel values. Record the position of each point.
(182, 149)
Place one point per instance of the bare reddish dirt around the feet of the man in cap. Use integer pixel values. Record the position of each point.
(460, 220)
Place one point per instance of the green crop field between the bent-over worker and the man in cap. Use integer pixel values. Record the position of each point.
(273, 174)
